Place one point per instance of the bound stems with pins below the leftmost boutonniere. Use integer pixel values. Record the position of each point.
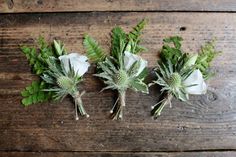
(79, 105)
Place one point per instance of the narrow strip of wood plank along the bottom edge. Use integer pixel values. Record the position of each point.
(117, 154)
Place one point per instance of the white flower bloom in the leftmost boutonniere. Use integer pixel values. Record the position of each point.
(78, 62)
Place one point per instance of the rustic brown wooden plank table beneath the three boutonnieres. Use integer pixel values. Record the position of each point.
(205, 128)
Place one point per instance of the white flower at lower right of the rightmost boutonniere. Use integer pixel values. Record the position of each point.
(195, 79)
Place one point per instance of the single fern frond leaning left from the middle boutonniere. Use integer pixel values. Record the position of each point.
(94, 52)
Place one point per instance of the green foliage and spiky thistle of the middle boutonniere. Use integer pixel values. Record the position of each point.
(112, 69)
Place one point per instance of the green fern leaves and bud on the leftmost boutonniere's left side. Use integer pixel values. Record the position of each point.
(37, 58)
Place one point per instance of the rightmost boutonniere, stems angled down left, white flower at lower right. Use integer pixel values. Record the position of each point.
(181, 74)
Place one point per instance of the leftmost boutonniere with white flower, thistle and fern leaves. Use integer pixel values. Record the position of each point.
(59, 75)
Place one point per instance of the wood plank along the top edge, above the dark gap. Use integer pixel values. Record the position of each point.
(18, 6)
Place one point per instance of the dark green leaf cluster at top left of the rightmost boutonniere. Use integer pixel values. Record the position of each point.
(171, 50)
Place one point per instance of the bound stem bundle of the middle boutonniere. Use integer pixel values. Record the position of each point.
(119, 113)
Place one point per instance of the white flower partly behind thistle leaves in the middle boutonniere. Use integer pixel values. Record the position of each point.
(130, 59)
